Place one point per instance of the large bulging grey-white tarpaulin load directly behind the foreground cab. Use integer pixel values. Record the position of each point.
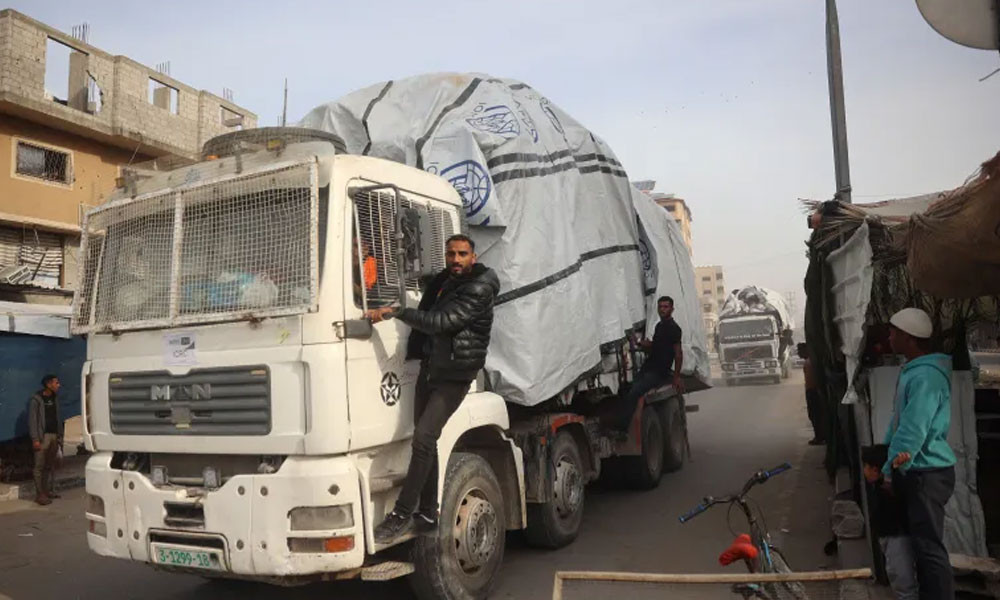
(549, 205)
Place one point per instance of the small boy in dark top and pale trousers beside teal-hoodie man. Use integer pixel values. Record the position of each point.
(888, 524)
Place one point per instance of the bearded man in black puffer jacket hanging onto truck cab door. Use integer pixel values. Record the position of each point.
(451, 332)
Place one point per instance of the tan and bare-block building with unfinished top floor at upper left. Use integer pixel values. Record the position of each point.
(71, 115)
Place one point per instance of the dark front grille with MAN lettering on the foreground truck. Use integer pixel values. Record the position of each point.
(221, 401)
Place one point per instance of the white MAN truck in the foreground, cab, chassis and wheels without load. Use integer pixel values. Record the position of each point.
(247, 422)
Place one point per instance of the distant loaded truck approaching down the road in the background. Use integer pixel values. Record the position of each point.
(755, 336)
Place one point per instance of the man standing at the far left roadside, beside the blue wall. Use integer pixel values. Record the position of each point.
(46, 429)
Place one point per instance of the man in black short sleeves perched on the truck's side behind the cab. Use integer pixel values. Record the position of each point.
(664, 361)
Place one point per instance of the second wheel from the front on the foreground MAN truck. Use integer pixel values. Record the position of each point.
(556, 523)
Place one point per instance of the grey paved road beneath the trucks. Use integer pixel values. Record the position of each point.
(43, 552)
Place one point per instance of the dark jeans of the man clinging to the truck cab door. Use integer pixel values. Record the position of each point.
(434, 404)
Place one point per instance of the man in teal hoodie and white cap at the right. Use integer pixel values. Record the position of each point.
(918, 447)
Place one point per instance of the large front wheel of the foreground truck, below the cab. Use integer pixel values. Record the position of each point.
(460, 561)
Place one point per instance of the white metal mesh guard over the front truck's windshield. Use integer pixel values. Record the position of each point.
(244, 245)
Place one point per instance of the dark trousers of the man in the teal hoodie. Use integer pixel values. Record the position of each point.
(925, 492)
